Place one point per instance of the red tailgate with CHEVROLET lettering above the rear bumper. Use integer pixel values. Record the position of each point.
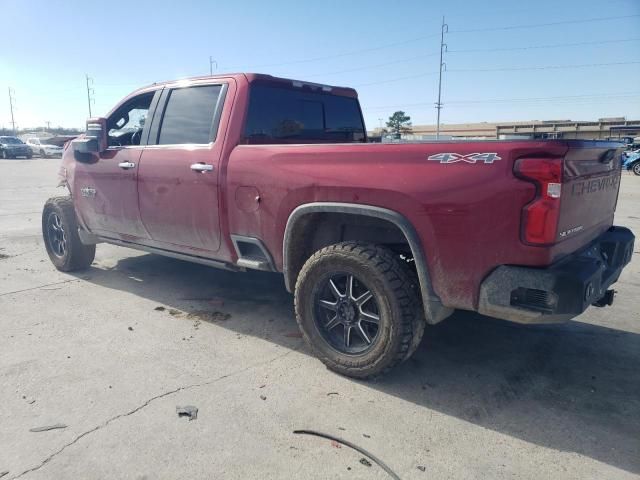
(591, 180)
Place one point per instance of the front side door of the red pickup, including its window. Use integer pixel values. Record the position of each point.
(105, 190)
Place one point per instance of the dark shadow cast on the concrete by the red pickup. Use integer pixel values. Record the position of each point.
(572, 387)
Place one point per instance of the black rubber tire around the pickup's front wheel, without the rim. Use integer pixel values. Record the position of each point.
(76, 256)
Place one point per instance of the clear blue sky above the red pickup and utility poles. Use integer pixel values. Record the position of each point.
(387, 50)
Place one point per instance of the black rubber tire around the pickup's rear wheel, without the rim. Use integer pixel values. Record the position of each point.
(396, 292)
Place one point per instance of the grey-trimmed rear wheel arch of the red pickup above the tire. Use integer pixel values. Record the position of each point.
(301, 241)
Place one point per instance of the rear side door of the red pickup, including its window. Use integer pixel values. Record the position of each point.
(179, 170)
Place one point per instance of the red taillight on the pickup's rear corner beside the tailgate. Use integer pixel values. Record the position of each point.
(540, 217)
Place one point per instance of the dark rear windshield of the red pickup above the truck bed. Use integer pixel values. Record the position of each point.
(287, 115)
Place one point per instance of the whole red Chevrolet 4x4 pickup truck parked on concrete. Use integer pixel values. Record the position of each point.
(250, 171)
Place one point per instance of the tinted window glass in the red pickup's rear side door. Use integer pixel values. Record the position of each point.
(188, 116)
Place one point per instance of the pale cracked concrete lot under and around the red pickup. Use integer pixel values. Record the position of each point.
(112, 351)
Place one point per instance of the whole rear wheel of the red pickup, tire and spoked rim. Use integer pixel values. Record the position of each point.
(356, 305)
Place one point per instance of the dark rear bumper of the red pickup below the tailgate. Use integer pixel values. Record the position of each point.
(561, 291)
